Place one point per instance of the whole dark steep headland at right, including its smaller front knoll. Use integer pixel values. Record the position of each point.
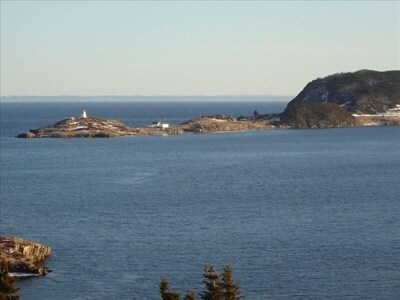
(347, 99)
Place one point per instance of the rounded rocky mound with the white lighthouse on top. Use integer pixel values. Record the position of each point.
(91, 127)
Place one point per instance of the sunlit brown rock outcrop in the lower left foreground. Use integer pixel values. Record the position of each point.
(23, 256)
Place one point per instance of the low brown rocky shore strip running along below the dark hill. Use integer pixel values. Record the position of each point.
(95, 127)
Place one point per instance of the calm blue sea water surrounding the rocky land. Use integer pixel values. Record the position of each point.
(299, 214)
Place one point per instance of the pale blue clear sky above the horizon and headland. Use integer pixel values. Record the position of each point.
(85, 48)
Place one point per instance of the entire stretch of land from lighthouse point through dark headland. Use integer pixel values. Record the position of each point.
(340, 100)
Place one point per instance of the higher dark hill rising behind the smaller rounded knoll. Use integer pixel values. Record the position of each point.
(359, 92)
